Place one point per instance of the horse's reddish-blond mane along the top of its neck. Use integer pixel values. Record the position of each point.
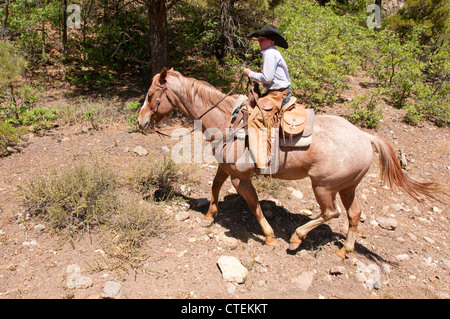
(205, 91)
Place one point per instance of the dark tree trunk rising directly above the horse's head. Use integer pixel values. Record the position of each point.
(157, 18)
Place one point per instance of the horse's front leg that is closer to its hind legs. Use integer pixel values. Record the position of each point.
(245, 188)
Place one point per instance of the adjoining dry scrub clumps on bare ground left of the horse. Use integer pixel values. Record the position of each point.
(85, 196)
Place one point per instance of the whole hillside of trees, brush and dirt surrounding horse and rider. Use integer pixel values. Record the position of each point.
(91, 207)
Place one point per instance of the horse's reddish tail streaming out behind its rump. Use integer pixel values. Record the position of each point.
(392, 174)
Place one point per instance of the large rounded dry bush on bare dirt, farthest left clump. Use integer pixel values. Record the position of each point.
(73, 199)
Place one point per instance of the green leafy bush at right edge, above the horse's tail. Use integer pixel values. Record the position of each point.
(413, 76)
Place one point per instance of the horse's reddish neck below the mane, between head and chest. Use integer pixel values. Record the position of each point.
(195, 106)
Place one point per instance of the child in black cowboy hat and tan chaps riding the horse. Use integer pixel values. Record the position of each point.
(275, 79)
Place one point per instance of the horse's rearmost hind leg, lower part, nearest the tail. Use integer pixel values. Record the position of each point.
(353, 213)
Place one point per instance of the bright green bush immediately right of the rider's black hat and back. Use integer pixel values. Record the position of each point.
(324, 48)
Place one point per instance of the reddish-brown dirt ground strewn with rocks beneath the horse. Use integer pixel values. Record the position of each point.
(402, 250)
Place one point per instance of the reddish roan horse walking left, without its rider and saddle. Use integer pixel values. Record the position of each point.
(339, 156)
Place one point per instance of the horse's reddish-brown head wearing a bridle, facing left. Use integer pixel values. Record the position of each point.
(157, 104)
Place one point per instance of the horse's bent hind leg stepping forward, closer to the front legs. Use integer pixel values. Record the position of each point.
(327, 202)
